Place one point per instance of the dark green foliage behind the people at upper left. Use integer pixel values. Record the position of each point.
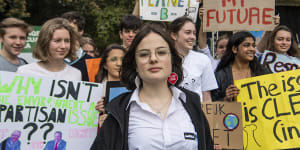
(102, 16)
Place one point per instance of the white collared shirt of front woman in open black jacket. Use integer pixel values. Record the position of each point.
(147, 131)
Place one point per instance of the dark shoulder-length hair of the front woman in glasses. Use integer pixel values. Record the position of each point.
(128, 69)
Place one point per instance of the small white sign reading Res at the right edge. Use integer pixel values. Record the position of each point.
(276, 62)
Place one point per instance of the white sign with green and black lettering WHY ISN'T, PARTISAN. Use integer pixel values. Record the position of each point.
(36, 110)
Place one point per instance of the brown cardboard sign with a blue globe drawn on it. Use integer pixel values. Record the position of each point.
(226, 124)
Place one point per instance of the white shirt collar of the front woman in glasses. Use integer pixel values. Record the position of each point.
(177, 94)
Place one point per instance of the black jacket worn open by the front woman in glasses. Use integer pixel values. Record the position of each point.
(113, 134)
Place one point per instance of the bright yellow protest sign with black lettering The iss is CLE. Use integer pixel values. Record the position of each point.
(271, 110)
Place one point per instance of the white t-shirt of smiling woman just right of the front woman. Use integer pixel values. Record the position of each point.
(198, 73)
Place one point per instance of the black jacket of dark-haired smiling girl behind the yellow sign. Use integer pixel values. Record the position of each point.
(224, 79)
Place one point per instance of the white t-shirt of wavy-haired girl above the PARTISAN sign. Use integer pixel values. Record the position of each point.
(68, 73)
